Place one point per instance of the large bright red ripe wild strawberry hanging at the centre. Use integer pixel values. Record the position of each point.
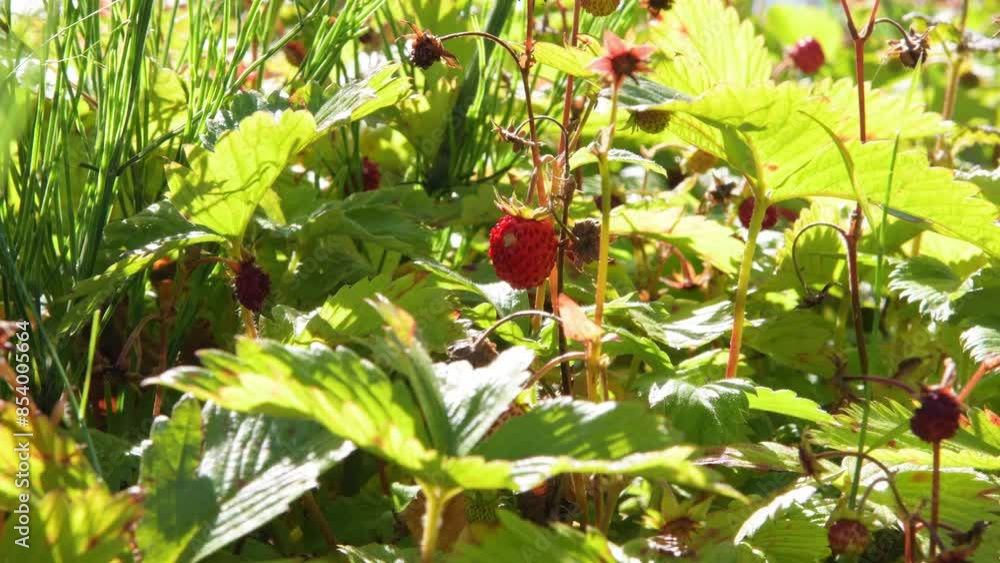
(523, 250)
